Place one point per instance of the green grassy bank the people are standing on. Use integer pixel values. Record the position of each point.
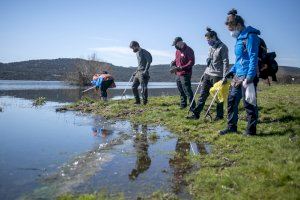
(266, 166)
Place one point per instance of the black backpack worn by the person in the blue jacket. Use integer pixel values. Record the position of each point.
(267, 65)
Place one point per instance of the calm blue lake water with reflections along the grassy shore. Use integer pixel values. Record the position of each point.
(44, 153)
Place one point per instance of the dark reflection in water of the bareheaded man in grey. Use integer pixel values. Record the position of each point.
(143, 160)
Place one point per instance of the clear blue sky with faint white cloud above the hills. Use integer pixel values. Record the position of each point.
(48, 29)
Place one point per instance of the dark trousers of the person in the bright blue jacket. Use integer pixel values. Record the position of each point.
(234, 97)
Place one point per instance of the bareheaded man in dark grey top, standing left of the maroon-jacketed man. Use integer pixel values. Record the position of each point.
(141, 75)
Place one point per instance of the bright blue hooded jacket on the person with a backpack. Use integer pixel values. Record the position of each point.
(246, 52)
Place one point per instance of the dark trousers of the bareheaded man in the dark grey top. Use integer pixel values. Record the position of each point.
(140, 79)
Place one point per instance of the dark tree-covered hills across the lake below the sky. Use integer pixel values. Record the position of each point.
(57, 69)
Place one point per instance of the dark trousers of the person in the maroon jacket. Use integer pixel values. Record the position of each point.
(185, 90)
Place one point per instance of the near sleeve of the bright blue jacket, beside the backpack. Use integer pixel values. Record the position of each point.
(252, 49)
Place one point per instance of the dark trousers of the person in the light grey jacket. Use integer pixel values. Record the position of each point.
(208, 82)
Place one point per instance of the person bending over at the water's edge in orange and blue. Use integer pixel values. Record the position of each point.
(103, 82)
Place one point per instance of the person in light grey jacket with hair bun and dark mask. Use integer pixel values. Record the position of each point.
(217, 66)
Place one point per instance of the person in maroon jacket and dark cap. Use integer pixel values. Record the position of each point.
(183, 68)
